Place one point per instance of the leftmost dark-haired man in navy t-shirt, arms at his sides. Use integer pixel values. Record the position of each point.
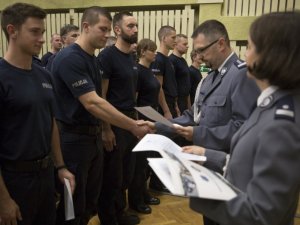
(28, 131)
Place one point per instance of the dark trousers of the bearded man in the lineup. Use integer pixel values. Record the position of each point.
(119, 166)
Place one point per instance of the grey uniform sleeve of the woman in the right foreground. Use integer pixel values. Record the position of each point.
(271, 195)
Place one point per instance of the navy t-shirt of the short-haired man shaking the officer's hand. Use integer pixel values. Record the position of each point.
(75, 73)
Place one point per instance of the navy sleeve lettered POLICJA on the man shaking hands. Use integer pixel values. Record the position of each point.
(73, 72)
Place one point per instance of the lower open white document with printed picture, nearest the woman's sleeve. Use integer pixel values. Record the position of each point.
(190, 179)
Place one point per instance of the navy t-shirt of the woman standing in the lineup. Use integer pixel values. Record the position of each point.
(148, 87)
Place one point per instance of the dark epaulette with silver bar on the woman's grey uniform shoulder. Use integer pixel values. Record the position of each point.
(285, 109)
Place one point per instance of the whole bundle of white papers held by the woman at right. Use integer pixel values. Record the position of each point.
(180, 174)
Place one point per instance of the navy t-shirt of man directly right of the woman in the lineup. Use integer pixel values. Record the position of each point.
(162, 66)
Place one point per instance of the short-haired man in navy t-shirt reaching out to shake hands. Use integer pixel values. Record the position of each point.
(77, 80)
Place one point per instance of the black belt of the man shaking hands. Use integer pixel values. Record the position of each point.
(79, 129)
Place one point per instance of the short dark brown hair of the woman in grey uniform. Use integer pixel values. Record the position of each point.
(276, 39)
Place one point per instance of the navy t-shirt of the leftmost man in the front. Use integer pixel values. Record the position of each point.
(26, 112)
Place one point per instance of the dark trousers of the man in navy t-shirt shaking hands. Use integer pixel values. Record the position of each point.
(83, 155)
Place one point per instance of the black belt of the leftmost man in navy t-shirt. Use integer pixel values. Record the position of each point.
(26, 166)
